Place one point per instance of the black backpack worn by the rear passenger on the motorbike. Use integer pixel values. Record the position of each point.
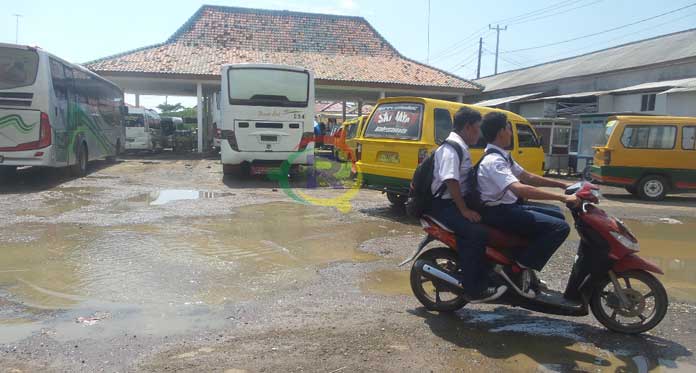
(420, 195)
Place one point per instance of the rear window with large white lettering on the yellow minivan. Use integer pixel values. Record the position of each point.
(399, 121)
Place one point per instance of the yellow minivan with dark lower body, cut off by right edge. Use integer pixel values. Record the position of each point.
(650, 156)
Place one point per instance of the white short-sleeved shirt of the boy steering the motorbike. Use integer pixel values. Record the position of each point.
(495, 174)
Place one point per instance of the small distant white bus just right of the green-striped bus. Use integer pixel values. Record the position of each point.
(143, 130)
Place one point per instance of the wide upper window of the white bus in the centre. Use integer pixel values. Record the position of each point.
(268, 87)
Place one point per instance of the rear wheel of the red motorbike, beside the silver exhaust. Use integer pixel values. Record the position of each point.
(434, 294)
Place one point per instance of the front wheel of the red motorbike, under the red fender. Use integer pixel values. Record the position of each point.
(647, 303)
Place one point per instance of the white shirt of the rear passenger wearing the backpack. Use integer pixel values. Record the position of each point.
(447, 166)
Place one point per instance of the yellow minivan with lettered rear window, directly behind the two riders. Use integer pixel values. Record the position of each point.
(401, 132)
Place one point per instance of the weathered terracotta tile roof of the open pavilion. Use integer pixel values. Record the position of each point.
(336, 48)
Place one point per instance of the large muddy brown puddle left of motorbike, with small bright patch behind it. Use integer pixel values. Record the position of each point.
(176, 270)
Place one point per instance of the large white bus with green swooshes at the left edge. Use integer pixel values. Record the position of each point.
(54, 113)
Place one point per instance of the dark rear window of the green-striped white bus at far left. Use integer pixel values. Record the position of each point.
(18, 67)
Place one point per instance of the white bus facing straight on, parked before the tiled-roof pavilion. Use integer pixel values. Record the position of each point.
(267, 117)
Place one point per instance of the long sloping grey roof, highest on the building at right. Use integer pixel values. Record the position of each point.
(661, 49)
